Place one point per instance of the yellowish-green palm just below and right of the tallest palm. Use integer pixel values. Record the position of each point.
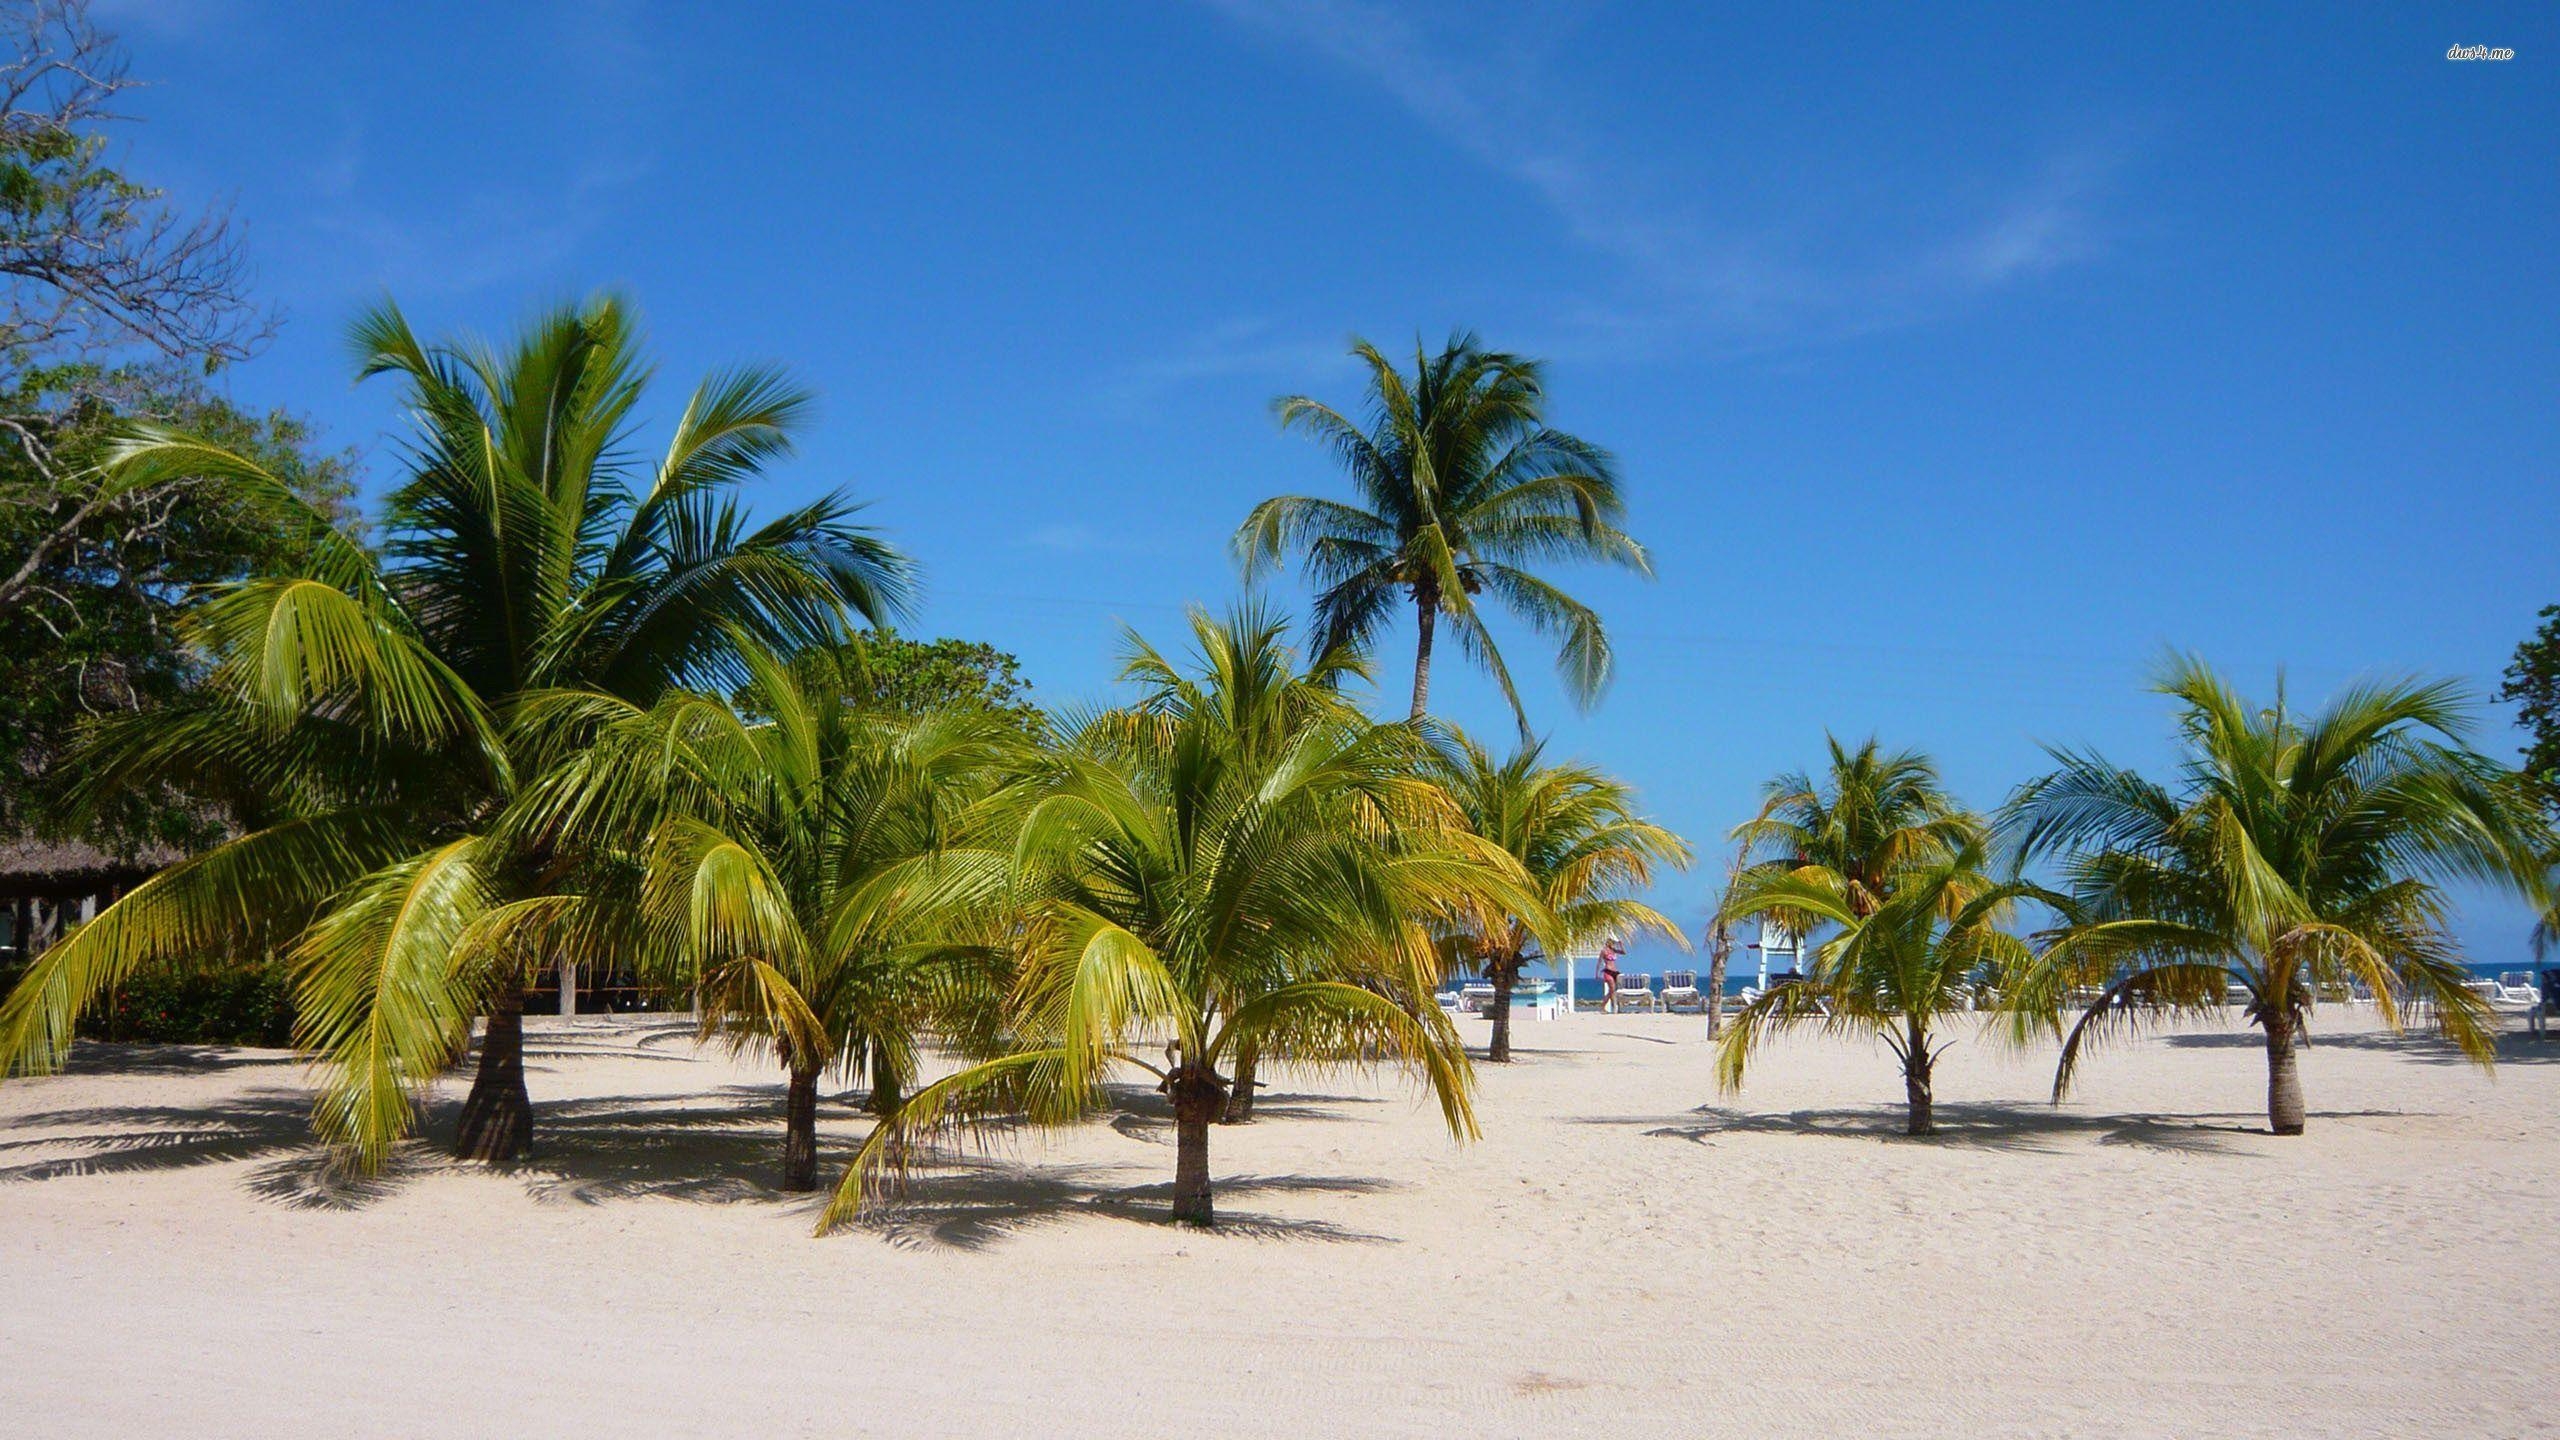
(1578, 839)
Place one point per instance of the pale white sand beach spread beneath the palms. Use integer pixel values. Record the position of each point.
(1624, 1254)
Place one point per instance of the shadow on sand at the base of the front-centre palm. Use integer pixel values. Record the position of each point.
(974, 1203)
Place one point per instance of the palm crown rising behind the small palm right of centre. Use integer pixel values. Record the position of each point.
(1852, 831)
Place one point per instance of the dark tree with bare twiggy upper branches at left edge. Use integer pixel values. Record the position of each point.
(114, 306)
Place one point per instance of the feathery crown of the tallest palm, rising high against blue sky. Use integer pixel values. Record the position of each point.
(1460, 491)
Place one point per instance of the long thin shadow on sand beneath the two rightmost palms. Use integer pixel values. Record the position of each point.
(2021, 1129)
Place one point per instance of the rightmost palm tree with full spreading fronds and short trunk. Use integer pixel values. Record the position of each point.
(2292, 855)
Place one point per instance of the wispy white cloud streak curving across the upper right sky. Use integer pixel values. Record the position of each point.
(1683, 275)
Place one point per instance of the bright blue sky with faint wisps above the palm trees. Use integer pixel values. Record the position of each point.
(1957, 365)
